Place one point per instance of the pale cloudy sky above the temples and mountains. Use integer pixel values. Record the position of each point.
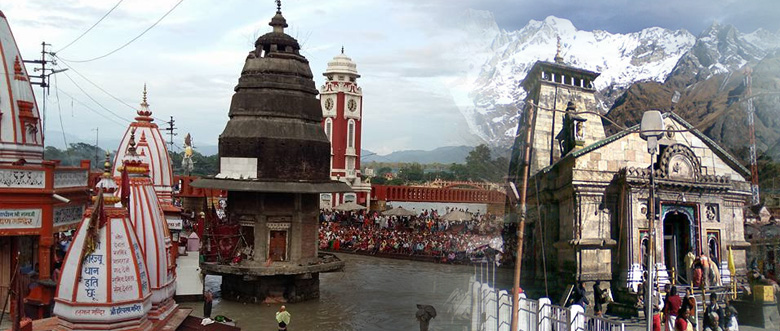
(192, 59)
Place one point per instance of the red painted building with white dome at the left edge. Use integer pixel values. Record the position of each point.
(38, 198)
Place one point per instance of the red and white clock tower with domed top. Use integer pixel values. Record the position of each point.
(342, 114)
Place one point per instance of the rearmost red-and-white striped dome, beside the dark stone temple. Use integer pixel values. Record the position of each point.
(151, 145)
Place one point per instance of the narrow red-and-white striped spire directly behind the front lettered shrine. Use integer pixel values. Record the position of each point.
(148, 220)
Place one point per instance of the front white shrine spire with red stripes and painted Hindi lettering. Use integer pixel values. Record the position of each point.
(104, 283)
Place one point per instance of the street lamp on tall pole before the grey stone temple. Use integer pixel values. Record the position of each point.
(651, 128)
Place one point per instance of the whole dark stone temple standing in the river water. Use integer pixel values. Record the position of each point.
(274, 163)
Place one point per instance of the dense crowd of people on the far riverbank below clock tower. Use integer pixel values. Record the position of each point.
(426, 234)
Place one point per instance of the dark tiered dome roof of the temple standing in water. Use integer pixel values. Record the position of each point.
(275, 116)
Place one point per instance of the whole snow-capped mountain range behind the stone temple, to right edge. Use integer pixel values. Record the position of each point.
(490, 95)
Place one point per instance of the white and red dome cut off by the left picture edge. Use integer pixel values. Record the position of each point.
(21, 132)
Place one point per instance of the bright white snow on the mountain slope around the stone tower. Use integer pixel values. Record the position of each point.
(490, 96)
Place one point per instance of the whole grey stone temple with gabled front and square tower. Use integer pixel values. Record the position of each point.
(588, 194)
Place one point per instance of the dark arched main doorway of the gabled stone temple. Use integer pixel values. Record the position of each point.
(677, 243)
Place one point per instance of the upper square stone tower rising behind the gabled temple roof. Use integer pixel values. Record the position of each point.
(558, 90)
